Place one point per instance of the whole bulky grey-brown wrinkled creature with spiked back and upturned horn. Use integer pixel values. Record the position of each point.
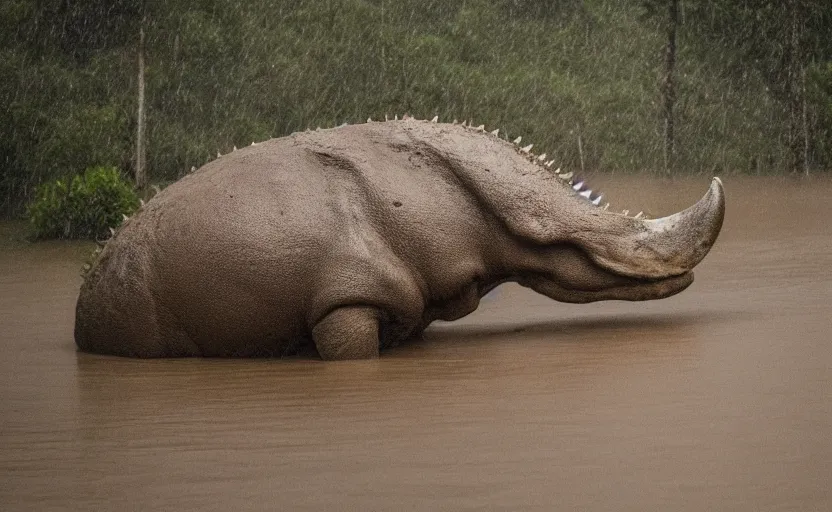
(357, 237)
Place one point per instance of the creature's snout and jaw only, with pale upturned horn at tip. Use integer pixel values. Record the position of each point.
(605, 255)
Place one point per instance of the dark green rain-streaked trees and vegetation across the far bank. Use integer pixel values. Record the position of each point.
(749, 88)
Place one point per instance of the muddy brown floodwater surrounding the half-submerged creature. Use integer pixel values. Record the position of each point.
(717, 399)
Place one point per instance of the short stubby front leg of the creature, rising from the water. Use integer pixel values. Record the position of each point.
(348, 333)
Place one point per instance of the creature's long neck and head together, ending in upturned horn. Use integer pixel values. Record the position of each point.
(570, 248)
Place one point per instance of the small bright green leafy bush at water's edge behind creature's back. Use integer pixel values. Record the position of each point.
(86, 206)
